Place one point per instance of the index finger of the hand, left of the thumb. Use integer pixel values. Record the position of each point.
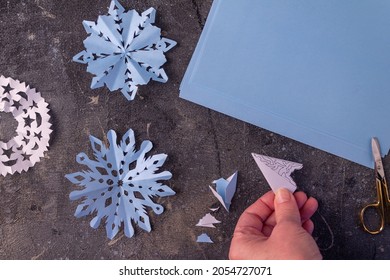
(252, 219)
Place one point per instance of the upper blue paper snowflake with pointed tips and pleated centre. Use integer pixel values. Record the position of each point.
(124, 50)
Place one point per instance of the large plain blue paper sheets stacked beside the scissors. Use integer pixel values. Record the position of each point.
(315, 71)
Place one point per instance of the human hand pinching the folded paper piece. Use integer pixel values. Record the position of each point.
(276, 227)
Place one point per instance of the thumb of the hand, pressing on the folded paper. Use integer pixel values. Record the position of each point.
(286, 208)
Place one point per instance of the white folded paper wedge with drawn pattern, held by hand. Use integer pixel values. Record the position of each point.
(277, 172)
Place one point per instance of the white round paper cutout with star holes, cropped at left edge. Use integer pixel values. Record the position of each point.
(33, 129)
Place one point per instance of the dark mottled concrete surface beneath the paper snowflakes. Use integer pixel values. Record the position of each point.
(38, 39)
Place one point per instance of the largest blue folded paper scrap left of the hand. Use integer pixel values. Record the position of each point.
(225, 189)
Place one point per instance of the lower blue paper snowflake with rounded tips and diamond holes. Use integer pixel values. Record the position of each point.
(120, 184)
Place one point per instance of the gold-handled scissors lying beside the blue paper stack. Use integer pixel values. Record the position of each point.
(382, 205)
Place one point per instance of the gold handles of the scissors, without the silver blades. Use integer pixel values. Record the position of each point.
(379, 207)
